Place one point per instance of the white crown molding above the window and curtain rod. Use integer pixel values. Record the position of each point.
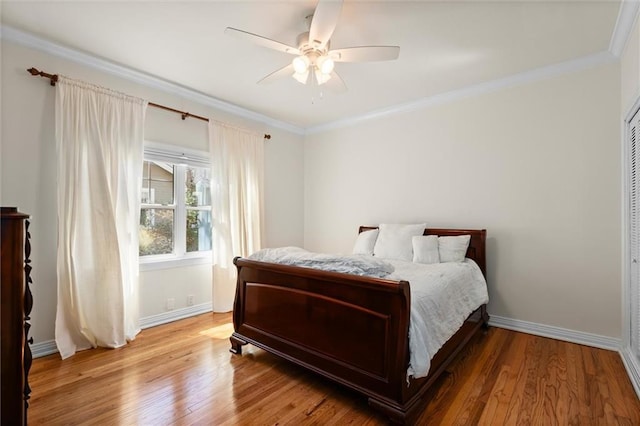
(35, 42)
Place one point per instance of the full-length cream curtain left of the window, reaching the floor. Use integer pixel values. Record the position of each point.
(99, 139)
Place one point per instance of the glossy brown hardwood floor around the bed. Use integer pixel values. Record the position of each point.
(183, 373)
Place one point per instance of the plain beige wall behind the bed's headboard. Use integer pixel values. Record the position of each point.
(537, 165)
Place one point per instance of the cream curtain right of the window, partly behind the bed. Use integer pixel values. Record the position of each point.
(237, 168)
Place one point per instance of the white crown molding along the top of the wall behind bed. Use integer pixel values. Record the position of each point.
(575, 65)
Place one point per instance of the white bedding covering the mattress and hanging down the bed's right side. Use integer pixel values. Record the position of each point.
(443, 295)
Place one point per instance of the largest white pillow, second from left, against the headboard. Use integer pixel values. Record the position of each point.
(394, 241)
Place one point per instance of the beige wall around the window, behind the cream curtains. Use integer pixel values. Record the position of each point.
(28, 175)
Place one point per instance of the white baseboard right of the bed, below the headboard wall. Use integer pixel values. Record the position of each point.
(558, 333)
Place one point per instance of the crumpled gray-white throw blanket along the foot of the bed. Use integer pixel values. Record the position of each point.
(355, 264)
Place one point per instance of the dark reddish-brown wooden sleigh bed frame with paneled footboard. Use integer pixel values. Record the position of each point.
(349, 328)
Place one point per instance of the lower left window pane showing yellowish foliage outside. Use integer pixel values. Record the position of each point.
(156, 231)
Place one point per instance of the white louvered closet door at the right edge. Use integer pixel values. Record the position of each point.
(634, 228)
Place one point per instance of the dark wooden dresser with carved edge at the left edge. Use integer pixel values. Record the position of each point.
(16, 302)
